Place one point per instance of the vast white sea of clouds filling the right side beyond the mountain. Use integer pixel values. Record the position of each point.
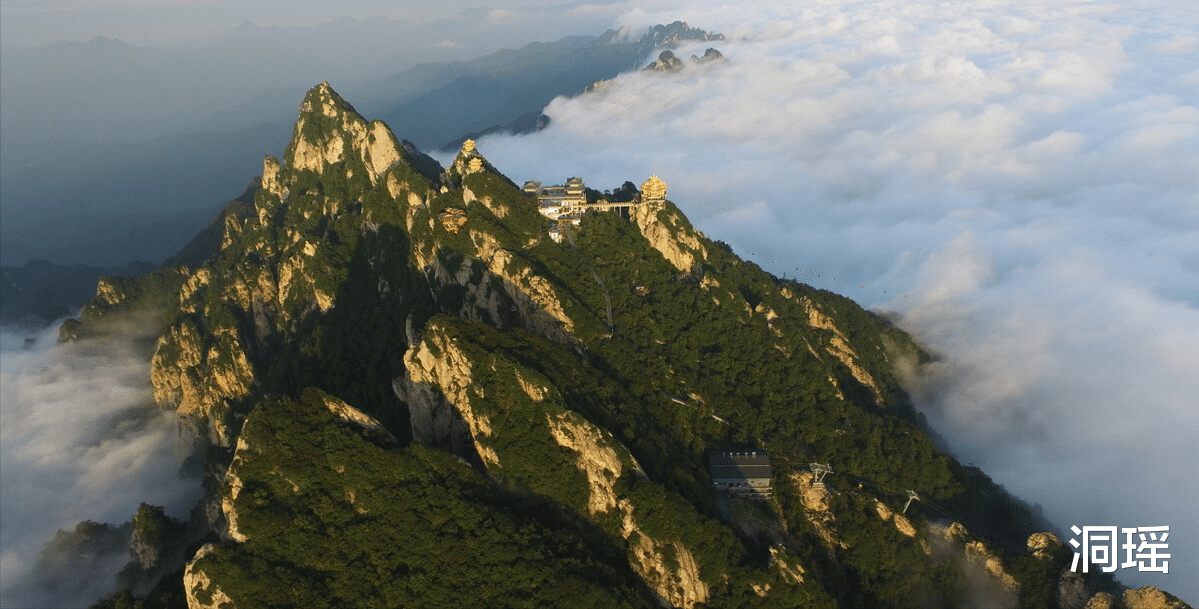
(1019, 183)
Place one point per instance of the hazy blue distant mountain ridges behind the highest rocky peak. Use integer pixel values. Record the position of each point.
(107, 206)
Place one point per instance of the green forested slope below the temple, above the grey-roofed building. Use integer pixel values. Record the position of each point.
(673, 339)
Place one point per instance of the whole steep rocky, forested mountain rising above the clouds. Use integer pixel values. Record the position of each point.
(418, 399)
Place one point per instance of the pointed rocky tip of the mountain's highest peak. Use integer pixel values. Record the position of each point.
(330, 131)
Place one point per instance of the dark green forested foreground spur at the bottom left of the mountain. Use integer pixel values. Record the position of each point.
(338, 521)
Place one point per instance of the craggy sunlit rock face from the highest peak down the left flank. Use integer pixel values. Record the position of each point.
(276, 269)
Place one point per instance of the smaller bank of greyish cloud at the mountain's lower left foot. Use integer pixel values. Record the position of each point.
(81, 439)
